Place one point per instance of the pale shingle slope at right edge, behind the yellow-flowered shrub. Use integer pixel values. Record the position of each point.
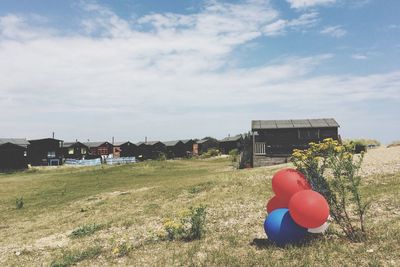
(381, 160)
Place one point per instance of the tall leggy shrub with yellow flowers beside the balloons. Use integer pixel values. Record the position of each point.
(332, 170)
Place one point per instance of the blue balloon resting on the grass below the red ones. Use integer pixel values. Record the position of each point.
(281, 229)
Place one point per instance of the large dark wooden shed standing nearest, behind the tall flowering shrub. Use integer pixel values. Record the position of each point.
(275, 140)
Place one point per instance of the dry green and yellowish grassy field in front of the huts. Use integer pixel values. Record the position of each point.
(110, 216)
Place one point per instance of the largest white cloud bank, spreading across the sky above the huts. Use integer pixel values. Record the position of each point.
(172, 80)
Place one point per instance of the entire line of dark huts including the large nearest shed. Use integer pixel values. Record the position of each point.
(269, 142)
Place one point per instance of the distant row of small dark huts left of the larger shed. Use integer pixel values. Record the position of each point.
(17, 153)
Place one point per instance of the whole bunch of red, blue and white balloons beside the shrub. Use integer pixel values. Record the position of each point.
(295, 209)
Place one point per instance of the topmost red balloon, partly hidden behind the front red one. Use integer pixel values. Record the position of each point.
(287, 182)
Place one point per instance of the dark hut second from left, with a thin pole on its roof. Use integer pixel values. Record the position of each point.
(45, 152)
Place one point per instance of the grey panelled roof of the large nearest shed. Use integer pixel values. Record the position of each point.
(287, 124)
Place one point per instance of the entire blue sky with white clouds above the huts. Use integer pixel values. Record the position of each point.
(180, 69)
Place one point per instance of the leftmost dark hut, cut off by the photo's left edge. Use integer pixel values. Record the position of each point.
(13, 154)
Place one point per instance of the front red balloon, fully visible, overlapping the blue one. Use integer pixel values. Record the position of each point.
(309, 209)
